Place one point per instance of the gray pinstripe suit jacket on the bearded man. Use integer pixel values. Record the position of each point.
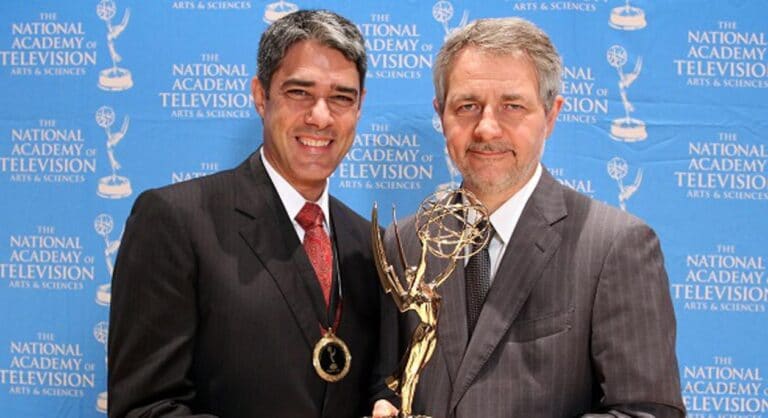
(578, 320)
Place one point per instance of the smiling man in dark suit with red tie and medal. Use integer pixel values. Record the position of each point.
(218, 309)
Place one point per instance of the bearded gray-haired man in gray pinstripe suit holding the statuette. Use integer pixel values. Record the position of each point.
(575, 317)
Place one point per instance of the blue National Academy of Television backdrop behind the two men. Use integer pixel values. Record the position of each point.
(665, 117)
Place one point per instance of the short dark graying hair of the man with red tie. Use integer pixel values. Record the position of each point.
(328, 28)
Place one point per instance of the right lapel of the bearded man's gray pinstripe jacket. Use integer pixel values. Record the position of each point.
(532, 245)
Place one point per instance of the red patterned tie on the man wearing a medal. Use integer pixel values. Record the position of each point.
(317, 245)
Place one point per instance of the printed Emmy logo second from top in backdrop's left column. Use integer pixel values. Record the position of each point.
(113, 186)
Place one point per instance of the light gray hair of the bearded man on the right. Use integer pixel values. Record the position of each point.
(503, 36)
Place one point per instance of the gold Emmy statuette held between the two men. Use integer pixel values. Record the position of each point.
(452, 225)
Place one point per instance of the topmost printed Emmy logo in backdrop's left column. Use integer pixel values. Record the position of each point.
(115, 78)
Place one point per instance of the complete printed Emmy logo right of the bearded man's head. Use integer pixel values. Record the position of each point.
(626, 129)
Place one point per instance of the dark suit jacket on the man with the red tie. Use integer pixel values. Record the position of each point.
(216, 308)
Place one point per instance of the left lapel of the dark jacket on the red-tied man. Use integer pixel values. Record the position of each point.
(270, 235)
